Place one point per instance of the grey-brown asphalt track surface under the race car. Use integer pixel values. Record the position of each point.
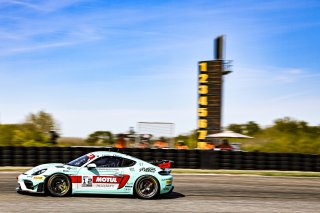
(193, 193)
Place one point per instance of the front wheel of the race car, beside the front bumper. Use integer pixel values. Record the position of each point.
(59, 185)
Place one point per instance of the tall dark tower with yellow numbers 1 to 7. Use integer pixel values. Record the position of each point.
(210, 85)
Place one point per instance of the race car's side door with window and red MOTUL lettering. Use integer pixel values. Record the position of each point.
(106, 178)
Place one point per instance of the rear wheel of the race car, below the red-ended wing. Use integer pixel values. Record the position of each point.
(147, 187)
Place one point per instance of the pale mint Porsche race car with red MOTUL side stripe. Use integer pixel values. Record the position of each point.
(100, 172)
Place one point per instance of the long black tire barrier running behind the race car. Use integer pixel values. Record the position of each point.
(193, 159)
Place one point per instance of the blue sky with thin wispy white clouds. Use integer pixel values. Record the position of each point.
(105, 65)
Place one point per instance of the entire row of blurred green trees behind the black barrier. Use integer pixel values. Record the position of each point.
(286, 135)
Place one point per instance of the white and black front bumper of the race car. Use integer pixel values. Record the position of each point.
(29, 183)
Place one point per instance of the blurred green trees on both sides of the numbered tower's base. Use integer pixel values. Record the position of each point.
(285, 135)
